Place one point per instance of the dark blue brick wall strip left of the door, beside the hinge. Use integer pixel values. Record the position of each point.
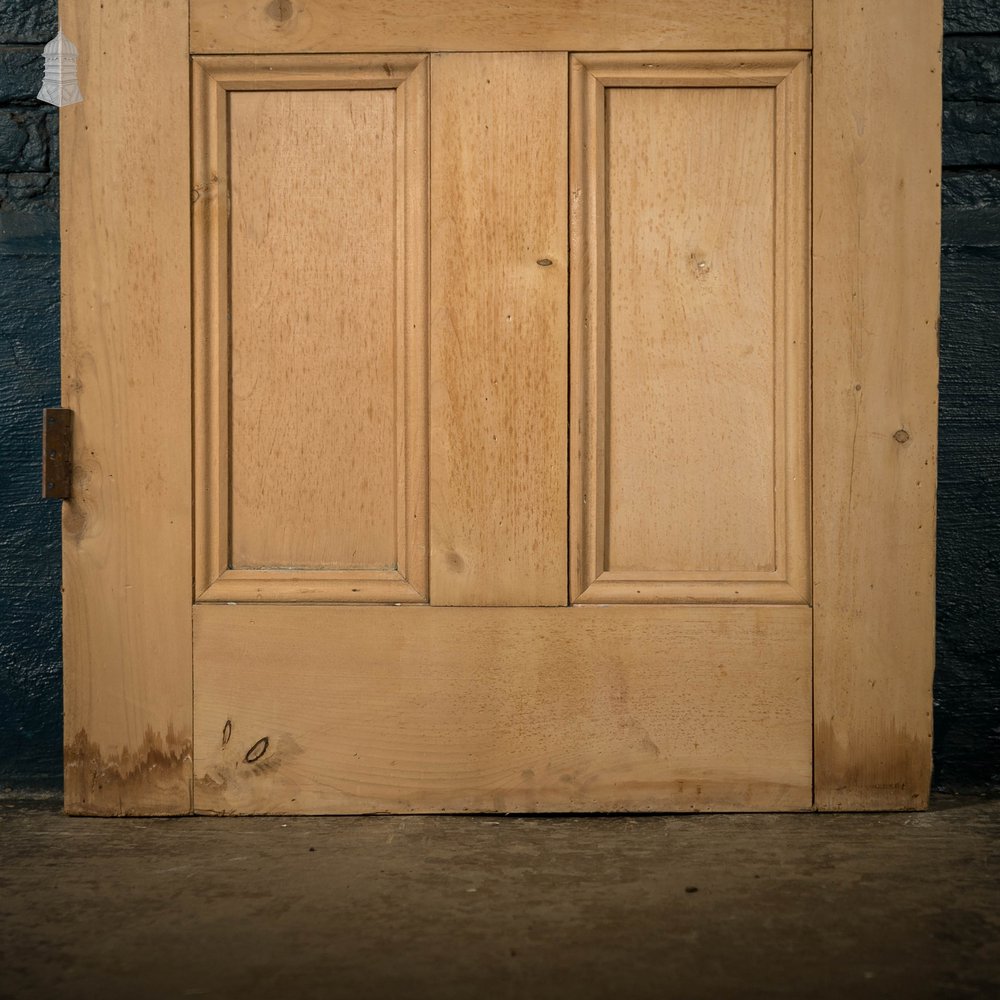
(30, 605)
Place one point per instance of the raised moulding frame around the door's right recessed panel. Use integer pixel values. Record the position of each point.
(593, 577)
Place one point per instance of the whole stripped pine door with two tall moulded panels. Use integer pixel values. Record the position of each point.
(531, 446)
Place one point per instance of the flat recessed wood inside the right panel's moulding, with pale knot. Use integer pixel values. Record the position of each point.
(690, 382)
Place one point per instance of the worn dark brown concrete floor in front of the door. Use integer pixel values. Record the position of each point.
(902, 905)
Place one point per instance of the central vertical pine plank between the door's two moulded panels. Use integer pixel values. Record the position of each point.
(498, 329)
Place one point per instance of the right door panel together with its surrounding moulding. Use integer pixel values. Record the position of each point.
(690, 328)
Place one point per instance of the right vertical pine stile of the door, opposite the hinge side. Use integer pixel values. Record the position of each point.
(876, 233)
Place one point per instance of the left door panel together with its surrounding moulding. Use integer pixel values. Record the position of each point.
(311, 428)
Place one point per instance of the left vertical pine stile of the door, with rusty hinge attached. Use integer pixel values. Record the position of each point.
(126, 375)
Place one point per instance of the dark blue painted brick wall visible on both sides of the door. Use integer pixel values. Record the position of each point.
(967, 685)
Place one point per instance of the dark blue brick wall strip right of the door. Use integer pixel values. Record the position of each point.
(967, 688)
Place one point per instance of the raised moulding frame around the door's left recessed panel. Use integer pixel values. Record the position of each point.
(213, 79)
